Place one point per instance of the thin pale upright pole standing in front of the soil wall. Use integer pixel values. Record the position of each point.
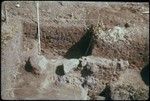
(39, 41)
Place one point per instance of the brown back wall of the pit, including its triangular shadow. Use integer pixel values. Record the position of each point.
(69, 42)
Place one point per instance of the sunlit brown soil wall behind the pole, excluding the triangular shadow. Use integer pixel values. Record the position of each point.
(58, 39)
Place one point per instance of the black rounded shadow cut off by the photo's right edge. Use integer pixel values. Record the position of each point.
(145, 74)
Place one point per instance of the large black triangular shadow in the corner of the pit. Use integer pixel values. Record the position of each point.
(83, 47)
